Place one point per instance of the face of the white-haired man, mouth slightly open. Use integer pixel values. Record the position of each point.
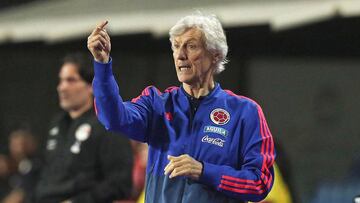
(193, 63)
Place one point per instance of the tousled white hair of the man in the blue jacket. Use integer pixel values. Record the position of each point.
(210, 26)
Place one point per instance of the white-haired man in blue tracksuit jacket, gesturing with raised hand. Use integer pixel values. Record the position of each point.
(206, 144)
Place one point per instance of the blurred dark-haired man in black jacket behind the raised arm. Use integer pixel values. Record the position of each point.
(83, 162)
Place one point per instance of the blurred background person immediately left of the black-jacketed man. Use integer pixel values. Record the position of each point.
(25, 165)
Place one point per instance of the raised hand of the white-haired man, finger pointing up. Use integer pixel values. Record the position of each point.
(99, 43)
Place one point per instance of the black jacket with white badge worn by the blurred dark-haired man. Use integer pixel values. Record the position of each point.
(84, 162)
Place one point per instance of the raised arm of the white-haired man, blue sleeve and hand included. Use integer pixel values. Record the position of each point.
(127, 117)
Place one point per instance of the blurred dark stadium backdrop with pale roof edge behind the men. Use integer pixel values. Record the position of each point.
(298, 59)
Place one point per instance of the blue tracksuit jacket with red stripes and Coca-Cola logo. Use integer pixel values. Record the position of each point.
(228, 134)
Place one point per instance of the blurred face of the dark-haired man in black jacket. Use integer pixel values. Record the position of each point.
(73, 91)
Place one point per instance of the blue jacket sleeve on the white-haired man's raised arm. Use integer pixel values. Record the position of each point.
(131, 118)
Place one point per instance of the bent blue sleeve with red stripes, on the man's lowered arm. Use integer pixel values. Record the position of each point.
(253, 180)
